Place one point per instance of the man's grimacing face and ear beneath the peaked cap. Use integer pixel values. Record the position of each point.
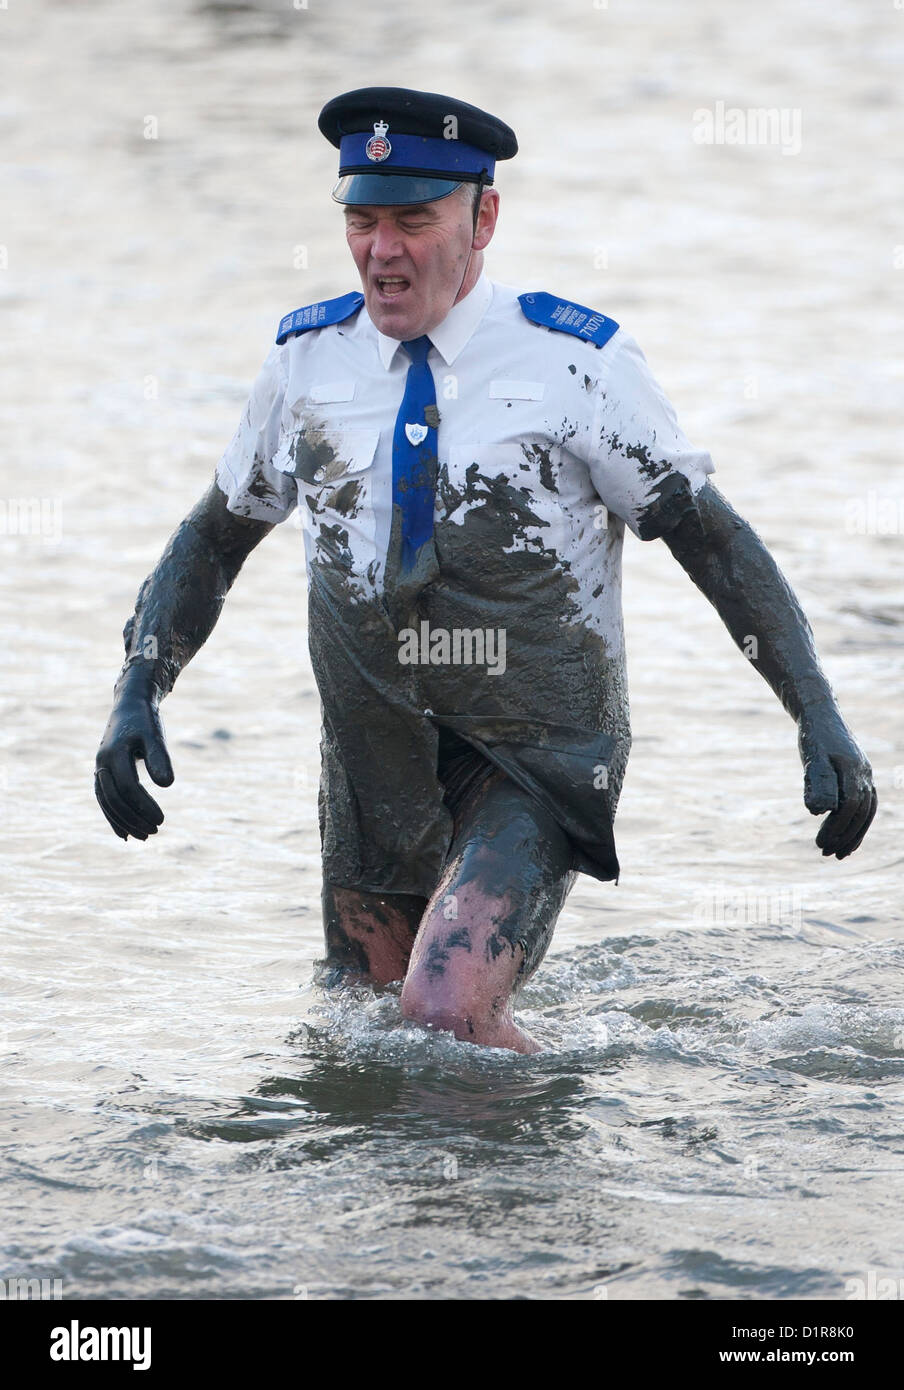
(412, 258)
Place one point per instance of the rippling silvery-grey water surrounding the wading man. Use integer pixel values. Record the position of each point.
(717, 1111)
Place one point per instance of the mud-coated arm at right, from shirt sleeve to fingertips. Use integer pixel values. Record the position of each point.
(729, 564)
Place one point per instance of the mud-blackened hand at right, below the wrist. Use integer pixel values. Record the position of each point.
(838, 778)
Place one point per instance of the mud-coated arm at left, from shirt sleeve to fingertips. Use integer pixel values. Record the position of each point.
(176, 612)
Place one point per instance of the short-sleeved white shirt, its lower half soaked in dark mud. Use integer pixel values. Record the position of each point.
(549, 445)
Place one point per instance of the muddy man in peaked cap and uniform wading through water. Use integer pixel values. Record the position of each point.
(465, 459)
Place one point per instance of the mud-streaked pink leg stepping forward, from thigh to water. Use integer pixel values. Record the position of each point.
(490, 919)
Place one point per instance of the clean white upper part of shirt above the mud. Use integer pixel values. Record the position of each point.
(512, 397)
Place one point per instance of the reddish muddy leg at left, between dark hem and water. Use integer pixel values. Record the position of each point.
(369, 936)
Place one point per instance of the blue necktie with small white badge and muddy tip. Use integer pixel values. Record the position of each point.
(412, 561)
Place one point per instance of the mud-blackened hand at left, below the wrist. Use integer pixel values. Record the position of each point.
(133, 732)
